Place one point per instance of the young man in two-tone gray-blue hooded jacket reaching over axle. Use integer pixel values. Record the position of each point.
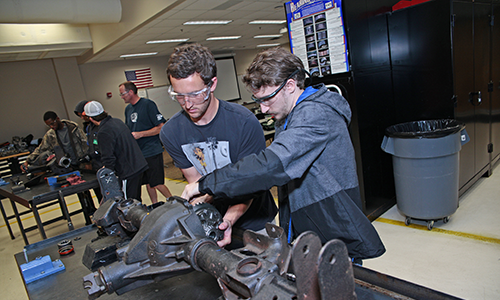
(311, 159)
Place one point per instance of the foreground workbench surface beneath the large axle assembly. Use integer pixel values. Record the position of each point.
(193, 286)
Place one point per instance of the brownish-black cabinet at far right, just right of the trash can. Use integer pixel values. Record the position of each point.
(472, 52)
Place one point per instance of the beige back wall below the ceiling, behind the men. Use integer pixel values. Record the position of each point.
(30, 88)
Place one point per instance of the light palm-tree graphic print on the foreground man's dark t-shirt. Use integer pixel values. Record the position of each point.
(208, 156)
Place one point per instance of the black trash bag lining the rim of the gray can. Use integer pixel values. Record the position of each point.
(425, 129)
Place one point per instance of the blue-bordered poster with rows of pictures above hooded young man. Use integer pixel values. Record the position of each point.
(317, 35)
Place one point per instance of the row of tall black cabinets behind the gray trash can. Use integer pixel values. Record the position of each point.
(435, 60)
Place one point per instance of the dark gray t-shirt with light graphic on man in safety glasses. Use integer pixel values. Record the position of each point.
(233, 134)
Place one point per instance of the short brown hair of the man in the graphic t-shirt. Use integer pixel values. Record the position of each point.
(192, 58)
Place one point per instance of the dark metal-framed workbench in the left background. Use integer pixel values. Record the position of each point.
(43, 195)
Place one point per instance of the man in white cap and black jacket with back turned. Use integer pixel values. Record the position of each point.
(119, 150)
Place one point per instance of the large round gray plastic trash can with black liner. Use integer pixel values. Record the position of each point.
(426, 167)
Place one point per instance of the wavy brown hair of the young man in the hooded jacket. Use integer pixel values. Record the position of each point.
(271, 67)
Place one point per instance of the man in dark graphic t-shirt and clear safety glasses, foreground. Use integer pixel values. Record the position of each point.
(209, 134)
